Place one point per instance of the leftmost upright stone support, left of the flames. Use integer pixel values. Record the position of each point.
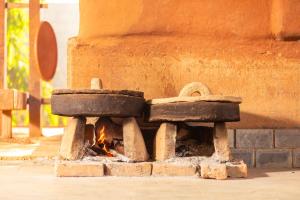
(72, 143)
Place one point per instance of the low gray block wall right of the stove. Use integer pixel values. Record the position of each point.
(266, 147)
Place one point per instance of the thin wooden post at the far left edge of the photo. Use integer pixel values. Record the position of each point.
(2, 52)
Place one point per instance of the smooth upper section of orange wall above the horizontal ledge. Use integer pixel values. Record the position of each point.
(247, 18)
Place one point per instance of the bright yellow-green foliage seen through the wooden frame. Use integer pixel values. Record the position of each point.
(18, 65)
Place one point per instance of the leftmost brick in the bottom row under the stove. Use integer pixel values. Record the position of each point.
(79, 169)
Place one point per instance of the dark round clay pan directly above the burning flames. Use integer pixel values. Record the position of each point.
(94, 103)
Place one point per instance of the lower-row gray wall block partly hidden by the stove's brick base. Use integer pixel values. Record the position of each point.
(246, 155)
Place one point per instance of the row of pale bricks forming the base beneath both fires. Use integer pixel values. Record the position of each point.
(190, 166)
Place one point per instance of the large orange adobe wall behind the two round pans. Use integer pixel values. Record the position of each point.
(159, 46)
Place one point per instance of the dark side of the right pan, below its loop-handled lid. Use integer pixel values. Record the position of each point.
(200, 111)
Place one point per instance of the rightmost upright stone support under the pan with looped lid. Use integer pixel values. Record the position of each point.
(222, 151)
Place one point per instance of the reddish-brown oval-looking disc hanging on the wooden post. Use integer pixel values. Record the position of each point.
(46, 51)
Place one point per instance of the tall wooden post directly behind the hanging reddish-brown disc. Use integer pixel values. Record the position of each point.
(34, 80)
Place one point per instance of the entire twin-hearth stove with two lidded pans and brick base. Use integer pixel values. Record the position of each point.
(118, 133)
